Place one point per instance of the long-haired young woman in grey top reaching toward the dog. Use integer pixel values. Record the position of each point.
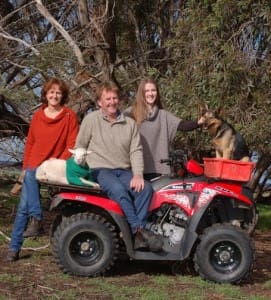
(157, 127)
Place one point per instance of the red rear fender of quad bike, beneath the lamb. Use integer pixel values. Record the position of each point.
(100, 201)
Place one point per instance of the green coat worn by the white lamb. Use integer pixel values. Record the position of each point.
(75, 171)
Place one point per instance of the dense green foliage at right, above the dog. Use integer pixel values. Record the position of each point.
(214, 62)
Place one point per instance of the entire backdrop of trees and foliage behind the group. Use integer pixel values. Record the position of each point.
(217, 51)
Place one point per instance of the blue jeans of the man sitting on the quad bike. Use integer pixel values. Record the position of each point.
(116, 183)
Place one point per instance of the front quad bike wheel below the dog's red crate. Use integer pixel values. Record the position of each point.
(225, 254)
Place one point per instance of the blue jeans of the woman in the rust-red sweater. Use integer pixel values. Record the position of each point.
(29, 206)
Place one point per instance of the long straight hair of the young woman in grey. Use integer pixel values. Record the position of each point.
(139, 108)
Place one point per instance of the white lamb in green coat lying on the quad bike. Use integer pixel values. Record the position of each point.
(71, 171)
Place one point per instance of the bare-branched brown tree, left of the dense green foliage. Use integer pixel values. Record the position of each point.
(82, 41)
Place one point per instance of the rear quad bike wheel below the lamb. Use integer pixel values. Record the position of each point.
(85, 245)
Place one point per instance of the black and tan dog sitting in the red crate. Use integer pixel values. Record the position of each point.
(228, 143)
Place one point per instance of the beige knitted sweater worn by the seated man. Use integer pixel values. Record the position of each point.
(113, 145)
